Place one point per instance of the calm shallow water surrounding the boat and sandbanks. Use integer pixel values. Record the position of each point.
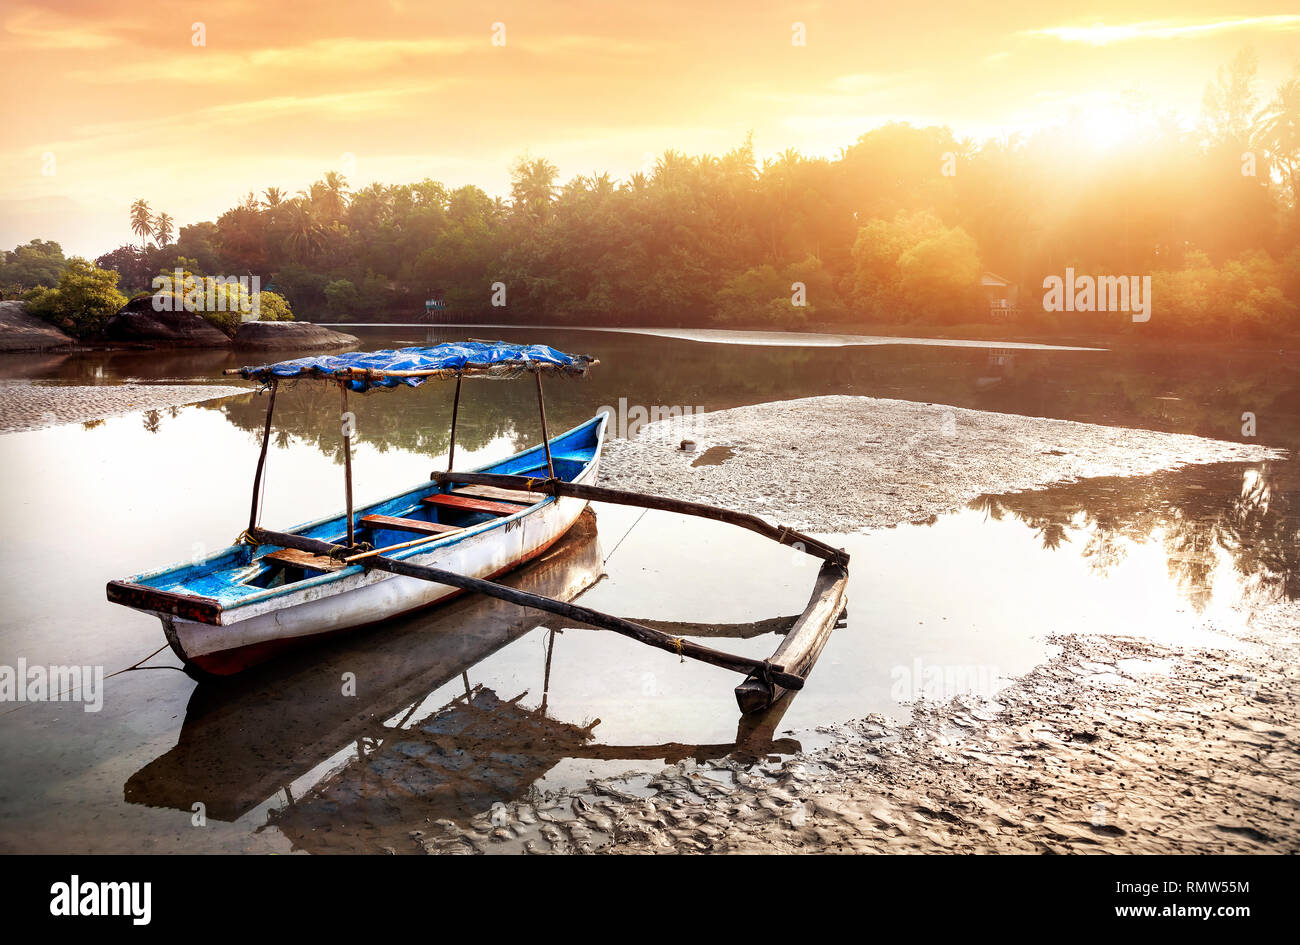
(476, 704)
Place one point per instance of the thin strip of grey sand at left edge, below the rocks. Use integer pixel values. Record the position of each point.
(37, 406)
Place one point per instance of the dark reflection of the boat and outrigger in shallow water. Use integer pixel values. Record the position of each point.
(400, 762)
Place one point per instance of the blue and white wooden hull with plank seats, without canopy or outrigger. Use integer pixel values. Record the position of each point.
(246, 602)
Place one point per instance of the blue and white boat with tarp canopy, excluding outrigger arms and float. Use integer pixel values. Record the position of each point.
(253, 600)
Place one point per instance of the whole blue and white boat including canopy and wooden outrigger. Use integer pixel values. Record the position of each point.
(444, 537)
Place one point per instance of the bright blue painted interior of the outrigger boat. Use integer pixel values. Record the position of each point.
(242, 574)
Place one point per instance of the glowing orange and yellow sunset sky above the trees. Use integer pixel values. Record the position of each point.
(131, 109)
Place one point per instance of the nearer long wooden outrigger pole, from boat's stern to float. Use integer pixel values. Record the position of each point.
(747, 666)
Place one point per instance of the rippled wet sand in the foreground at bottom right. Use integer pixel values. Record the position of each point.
(1116, 747)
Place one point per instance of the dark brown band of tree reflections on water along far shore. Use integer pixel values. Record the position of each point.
(1202, 391)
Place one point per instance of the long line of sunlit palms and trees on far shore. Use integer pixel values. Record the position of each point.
(896, 229)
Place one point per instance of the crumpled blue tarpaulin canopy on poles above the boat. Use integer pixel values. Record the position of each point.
(413, 367)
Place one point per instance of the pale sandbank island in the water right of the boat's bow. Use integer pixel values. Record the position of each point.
(851, 463)
